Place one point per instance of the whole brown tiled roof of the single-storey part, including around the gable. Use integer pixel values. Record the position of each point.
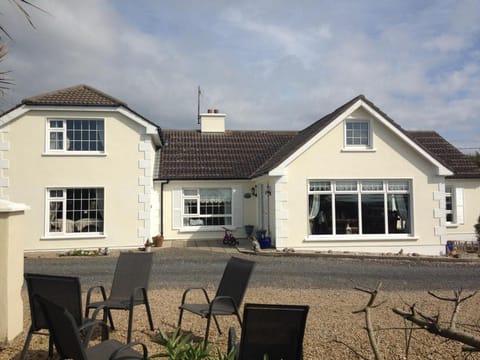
(249, 154)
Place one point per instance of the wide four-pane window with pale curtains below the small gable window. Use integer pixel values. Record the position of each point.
(359, 207)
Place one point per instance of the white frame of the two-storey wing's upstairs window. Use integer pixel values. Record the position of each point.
(65, 141)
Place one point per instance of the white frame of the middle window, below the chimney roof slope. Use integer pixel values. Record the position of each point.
(196, 197)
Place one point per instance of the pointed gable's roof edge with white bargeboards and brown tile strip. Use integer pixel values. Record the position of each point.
(307, 137)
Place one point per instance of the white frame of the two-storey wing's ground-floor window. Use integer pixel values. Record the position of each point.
(65, 227)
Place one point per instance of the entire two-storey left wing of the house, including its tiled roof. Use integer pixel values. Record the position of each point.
(83, 161)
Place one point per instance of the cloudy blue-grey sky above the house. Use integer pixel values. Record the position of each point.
(267, 64)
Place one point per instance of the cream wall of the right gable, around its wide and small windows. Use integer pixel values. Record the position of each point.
(390, 158)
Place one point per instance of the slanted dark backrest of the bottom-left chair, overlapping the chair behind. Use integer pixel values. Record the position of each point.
(63, 329)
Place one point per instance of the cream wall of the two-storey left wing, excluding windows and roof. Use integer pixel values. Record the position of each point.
(125, 173)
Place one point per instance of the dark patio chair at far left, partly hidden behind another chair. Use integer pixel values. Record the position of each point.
(64, 290)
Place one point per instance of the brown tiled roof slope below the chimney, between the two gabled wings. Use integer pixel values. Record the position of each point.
(192, 155)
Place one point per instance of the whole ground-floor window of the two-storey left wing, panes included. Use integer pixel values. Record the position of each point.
(75, 210)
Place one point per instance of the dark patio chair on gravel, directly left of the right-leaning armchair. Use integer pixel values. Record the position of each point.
(129, 288)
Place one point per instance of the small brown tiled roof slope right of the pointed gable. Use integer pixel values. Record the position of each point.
(462, 166)
